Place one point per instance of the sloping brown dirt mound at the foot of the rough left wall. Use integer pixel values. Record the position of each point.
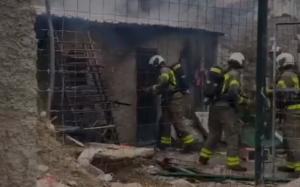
(57, 168)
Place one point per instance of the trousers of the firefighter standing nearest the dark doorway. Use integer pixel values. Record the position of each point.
(173, 113)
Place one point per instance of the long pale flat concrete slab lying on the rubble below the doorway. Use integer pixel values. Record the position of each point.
(119, 152)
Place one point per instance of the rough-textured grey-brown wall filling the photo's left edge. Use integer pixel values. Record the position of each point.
(18, 93)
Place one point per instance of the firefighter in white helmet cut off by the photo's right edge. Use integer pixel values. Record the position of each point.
(288, 102)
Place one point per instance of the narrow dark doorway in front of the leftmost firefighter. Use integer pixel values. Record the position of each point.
(147, 104)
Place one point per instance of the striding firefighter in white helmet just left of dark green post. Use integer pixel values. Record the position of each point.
(223, 115)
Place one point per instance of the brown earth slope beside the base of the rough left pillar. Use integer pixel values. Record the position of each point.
(62, 165)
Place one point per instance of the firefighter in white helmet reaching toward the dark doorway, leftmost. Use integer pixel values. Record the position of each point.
(172, 110)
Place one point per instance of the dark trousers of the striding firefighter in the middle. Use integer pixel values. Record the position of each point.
(222, 118)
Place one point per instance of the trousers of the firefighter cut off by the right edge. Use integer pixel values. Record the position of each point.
(291, 132)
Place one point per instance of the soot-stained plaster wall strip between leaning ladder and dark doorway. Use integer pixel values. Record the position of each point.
(120, 78)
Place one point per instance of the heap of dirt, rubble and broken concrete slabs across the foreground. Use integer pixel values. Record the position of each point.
(96, 164)
